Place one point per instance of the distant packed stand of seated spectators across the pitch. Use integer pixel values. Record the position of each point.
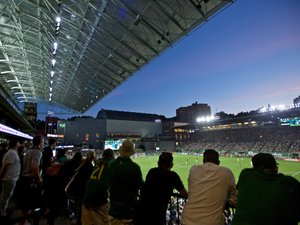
(256, 139)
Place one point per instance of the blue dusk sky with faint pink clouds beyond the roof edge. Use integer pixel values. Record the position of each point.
(246, 57)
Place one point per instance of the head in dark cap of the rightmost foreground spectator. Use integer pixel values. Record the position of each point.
(266, 162)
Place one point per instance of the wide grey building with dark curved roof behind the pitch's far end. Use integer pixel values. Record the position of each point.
(109, 128)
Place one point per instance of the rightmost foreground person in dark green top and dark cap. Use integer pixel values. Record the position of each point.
(266, 197)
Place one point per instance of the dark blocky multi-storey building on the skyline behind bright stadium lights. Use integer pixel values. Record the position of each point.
(189, 114)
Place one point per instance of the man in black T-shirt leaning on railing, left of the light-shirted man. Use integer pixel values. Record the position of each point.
(156, 192)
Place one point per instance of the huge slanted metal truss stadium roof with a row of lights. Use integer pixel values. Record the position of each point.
(74, 52)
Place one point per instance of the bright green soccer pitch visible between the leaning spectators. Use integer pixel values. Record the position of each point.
(183, 163)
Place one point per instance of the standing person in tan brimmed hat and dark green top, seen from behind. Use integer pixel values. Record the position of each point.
(125, 183)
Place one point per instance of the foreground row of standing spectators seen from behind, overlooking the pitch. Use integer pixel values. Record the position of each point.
(78, 185)
